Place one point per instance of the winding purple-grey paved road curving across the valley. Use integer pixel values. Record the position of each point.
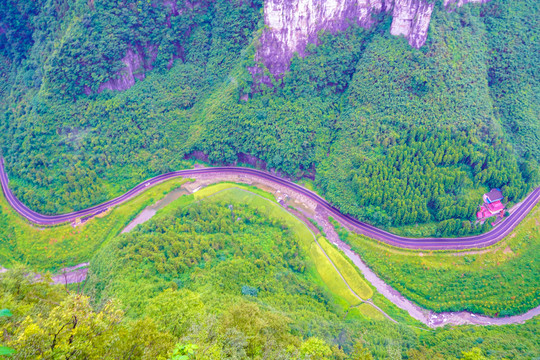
(478, 241)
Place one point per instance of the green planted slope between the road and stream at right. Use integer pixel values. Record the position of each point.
(502, 280)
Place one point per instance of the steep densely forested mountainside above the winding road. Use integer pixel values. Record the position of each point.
(394, 135)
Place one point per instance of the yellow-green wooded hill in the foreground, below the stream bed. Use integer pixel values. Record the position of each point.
(214, 280)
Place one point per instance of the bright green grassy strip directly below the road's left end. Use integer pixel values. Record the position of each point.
(52, 248)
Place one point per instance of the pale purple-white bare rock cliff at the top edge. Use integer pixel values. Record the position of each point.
(291, 24)
